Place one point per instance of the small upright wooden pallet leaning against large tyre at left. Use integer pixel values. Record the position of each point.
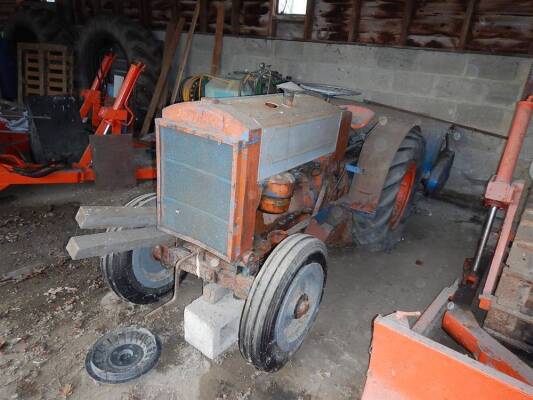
(44, 69)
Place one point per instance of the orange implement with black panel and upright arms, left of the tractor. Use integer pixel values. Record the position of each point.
(59, 146)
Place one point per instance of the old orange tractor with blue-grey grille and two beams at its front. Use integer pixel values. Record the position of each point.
(250, 192)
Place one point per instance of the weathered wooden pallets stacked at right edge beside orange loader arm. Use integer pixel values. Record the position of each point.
(510, 318)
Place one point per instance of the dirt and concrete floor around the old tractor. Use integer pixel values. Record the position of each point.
(53, 309)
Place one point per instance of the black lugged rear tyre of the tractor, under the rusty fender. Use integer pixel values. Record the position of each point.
(378, 232)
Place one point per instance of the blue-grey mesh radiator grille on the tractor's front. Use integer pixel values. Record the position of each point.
(195, 192)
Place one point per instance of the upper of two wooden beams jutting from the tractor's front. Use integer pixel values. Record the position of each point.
(103, 217)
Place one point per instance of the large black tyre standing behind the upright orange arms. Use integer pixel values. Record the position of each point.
(131, 42)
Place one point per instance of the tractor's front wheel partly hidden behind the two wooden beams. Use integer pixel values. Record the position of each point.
(135, 275)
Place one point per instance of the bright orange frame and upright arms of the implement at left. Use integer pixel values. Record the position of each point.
(113, 118)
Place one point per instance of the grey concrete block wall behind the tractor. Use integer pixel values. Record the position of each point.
(475, 90)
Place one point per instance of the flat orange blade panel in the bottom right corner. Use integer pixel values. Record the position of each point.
(407, 366)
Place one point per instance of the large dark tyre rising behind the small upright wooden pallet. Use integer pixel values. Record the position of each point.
(36, 23)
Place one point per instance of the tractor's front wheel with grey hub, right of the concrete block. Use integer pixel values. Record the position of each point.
(283, 302)
